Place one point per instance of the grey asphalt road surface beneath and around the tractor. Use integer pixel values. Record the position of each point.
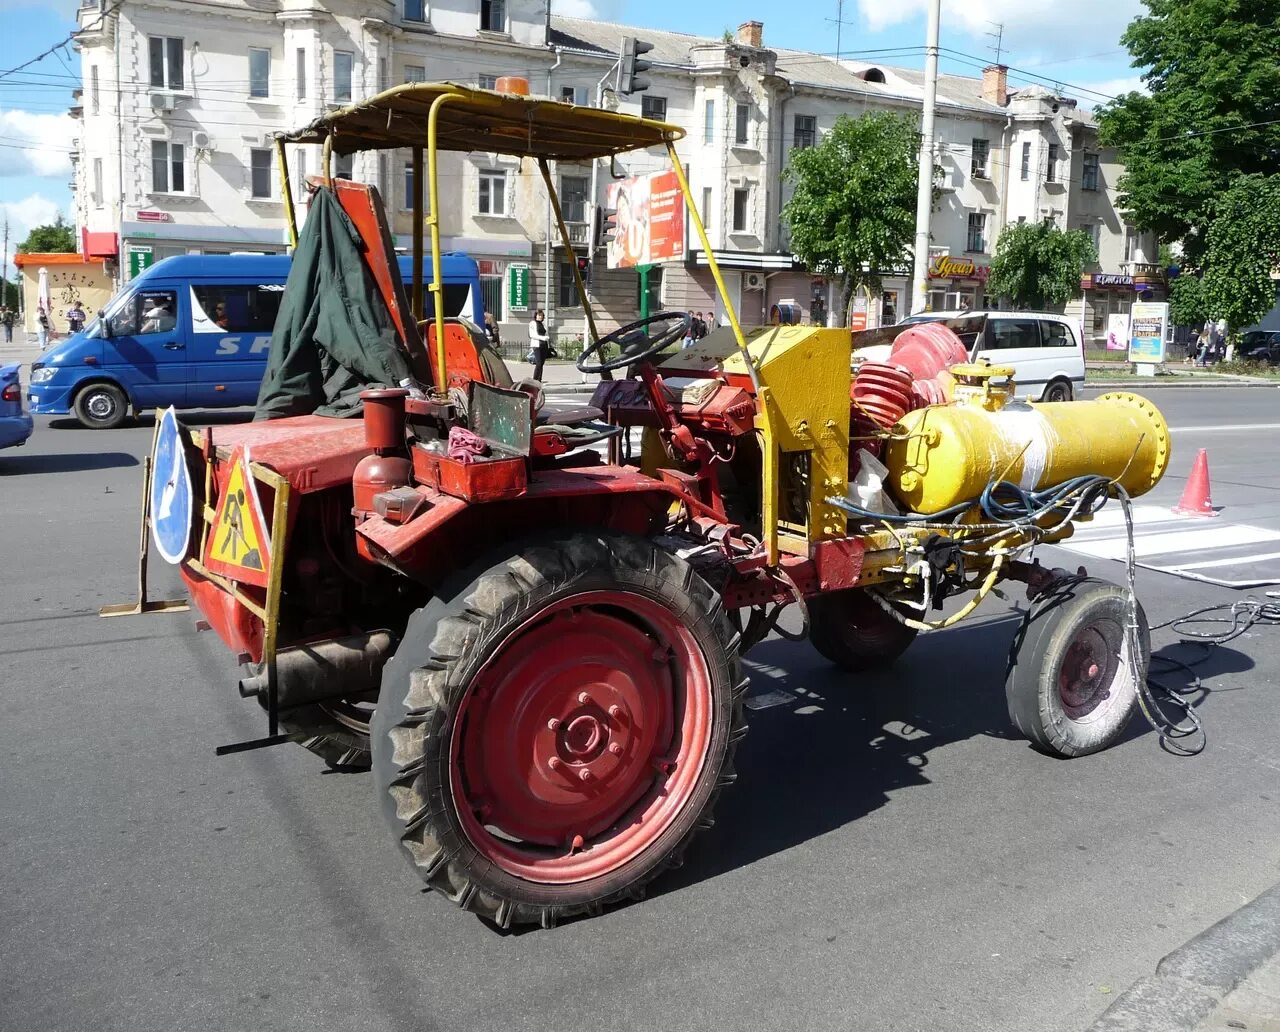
(892, 857)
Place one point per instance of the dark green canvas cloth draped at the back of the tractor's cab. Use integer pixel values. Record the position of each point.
(333, 336)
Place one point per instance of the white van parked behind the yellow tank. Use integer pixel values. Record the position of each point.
(1044, 349)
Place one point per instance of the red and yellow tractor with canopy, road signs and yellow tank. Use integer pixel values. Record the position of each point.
(533, 631)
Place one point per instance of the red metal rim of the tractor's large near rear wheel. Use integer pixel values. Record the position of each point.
(583, 738)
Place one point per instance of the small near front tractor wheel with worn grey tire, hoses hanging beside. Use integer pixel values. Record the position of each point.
(1071, 686)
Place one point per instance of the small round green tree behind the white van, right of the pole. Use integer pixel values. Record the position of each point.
(1039, 266)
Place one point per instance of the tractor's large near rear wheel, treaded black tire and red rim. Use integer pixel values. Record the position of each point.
(557, 724)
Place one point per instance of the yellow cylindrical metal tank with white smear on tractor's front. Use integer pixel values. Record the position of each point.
(950, 453)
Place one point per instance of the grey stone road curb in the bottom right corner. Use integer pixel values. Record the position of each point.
(1192, 980)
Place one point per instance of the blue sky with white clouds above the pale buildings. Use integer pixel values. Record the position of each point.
(1076, 44)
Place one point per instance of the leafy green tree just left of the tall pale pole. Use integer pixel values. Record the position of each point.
(853, 212)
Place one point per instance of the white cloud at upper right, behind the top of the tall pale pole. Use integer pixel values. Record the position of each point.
(1035, 30)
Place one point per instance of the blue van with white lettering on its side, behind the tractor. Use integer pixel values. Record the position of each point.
(194, 332)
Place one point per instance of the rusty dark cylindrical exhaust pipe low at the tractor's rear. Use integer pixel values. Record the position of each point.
(326, 670)
